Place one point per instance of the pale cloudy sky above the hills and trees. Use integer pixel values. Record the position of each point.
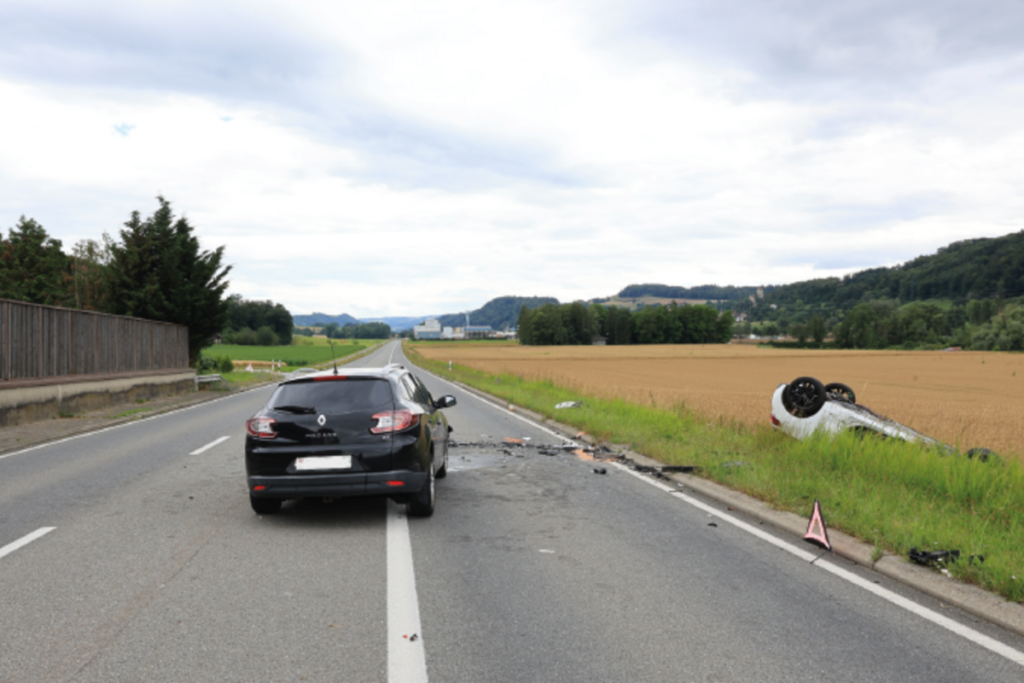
(401, 157)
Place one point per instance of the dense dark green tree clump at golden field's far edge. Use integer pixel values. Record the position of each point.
(579, 324)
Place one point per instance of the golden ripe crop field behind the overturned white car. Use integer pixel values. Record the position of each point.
(966, 399)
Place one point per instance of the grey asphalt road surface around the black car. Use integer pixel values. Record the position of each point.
(533, 569)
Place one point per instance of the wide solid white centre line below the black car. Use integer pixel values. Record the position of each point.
(407, 662)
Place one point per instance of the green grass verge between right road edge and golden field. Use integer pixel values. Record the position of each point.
(888, 493)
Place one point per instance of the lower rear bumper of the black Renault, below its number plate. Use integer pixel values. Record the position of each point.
(337, 486)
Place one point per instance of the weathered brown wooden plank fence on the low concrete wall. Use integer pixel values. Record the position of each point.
(42, 344)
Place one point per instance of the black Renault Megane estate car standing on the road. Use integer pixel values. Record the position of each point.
(359, 433)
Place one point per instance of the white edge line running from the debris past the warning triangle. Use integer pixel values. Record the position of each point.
(978, 638)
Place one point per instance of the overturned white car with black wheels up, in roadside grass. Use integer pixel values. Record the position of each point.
(805, 406)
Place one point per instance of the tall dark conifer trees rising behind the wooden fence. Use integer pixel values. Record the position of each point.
(155, 271)
